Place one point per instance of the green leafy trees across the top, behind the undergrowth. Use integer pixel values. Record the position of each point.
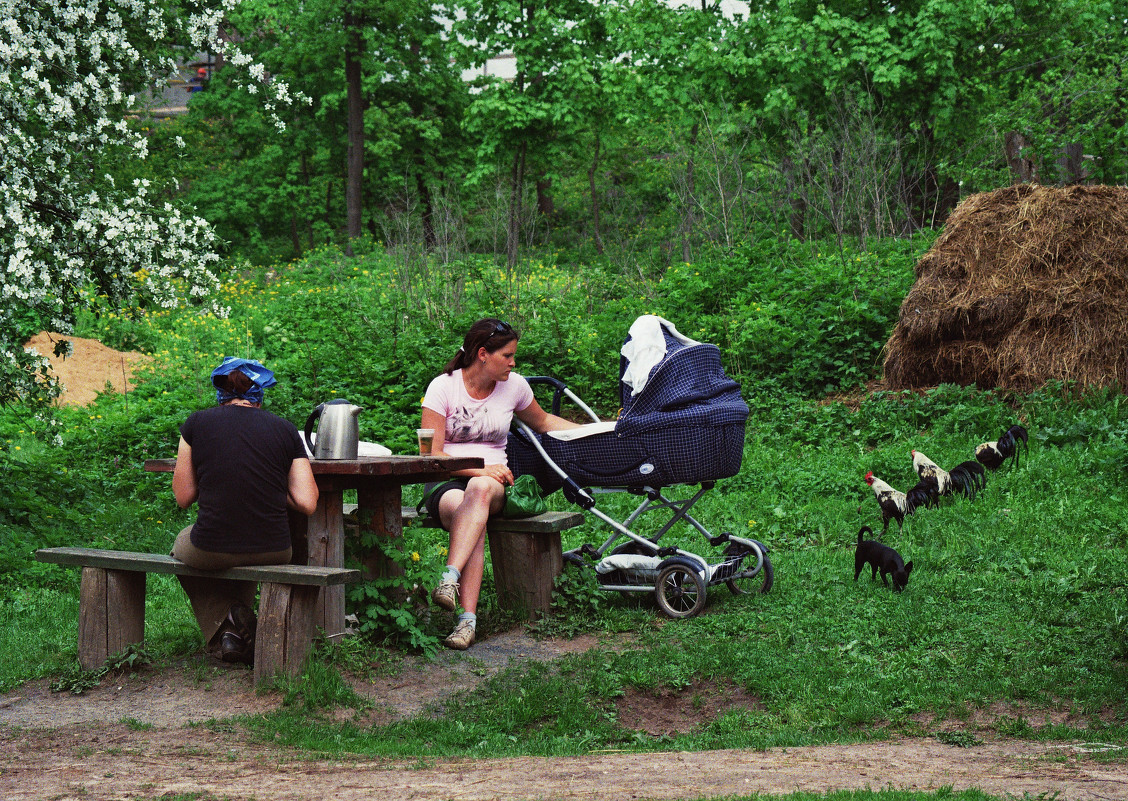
(646, 133)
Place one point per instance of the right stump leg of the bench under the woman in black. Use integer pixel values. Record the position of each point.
(286, 629)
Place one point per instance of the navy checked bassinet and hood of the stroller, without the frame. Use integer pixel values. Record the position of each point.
(685, 426)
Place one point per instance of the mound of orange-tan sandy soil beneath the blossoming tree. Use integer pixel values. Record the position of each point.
(89, 371)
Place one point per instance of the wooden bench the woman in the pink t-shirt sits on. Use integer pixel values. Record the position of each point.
(526, 554)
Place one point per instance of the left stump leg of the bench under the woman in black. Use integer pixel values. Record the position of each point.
(111, 614)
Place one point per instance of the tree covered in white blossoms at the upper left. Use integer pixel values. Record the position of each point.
(68, 233)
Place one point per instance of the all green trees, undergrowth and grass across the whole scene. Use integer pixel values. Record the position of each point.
(768, 183)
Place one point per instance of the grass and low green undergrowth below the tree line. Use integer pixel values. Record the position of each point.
(1018, 597)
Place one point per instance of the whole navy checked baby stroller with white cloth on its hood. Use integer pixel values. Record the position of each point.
(682, 422)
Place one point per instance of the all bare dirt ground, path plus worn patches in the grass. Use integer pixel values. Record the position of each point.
(133, 738)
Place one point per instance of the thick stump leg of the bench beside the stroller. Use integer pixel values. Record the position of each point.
(526, 567)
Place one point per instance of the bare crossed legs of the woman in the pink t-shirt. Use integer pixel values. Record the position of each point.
(465, 516)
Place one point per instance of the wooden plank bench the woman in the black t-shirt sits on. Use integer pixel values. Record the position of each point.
(112, 603)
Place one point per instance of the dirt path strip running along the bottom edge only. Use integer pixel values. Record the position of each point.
(113, 762)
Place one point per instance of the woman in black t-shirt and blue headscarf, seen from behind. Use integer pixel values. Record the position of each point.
(245, 468)
